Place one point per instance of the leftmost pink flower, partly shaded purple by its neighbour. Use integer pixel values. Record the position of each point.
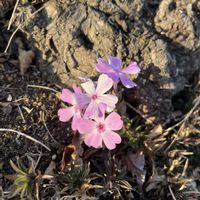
(78, 100)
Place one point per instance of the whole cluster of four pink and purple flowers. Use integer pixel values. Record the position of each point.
(88, 109)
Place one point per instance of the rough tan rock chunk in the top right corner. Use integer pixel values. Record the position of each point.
(179, 22)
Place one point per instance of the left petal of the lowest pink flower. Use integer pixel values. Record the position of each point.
(86, 126)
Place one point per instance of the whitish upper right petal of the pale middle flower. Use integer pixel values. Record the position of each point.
(104, 84)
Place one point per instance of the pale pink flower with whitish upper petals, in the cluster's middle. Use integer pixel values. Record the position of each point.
(97, 96)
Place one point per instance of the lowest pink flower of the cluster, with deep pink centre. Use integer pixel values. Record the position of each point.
(101, 130)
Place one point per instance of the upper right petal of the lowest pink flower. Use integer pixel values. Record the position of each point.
(113, 122)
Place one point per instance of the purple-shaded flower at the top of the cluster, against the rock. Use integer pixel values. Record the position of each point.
(114, 71)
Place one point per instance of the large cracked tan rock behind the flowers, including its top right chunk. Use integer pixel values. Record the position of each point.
(69, 36)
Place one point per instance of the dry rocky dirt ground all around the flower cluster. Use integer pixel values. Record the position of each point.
(48, 45)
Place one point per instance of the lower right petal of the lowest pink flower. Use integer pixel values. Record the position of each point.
(110, 139)
